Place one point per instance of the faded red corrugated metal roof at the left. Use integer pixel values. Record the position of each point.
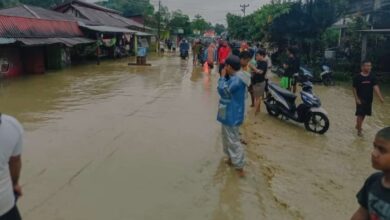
(13, 27)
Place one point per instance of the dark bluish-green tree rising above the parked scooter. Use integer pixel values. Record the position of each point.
(304, 25)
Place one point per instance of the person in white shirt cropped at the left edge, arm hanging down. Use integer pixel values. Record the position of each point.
(11, 142)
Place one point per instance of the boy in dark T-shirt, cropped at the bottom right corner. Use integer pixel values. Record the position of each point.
(374, 197)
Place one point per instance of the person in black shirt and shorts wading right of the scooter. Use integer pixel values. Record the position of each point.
(364, 85)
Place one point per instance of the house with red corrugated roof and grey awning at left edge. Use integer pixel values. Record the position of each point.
(33, 40)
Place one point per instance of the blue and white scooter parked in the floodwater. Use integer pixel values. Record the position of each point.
(282, 102)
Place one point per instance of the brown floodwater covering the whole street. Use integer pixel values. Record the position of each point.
(123, 142)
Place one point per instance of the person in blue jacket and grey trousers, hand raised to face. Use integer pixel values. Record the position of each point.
(232, 87)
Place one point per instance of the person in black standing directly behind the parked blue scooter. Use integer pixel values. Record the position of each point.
(292, 67)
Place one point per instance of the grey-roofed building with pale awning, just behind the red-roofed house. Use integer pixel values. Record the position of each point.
(107, 24)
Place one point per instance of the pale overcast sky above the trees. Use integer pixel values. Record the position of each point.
(213, 10)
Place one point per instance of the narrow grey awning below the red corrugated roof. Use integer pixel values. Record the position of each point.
(44, 41)
